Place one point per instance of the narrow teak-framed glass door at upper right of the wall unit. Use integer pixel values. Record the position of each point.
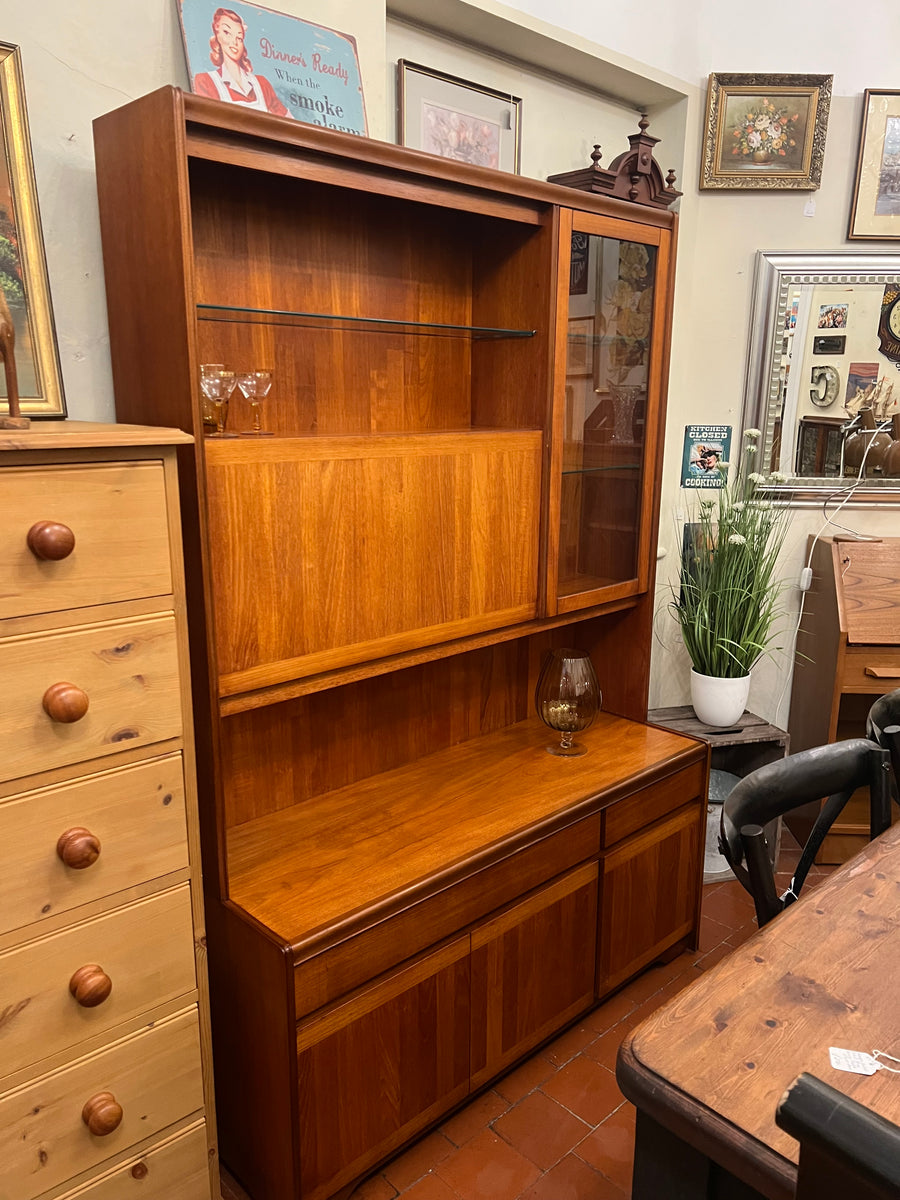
(613, 322)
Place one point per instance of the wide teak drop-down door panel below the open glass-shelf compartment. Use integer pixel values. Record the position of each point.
(405, 541)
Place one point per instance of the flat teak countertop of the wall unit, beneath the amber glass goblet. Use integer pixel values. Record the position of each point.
(305, 872)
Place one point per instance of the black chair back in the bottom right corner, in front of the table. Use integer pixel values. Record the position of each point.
(848, 1153)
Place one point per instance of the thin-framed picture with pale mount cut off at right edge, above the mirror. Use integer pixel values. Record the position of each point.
(875, 212)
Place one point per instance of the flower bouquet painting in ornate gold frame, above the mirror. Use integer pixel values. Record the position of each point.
(765, 131)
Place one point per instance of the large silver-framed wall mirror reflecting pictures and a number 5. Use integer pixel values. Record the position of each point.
(824, 373)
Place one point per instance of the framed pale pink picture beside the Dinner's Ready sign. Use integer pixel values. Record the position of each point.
(458, 119)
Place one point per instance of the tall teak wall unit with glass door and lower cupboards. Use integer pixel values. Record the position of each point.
(406, 893)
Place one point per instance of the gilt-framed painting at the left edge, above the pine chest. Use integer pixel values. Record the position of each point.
(23, 267)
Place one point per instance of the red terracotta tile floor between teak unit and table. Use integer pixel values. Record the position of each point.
(557, 1127)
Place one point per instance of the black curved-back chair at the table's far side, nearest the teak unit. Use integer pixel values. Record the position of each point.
(835, 771)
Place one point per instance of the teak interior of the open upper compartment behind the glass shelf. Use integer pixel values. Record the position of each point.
(284, 244)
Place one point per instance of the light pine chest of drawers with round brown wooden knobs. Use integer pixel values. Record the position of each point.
(106, 1084)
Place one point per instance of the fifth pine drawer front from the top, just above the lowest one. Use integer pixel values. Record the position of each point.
(154, 1077)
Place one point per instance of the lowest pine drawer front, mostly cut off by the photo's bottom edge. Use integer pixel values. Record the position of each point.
(175, 1171)
